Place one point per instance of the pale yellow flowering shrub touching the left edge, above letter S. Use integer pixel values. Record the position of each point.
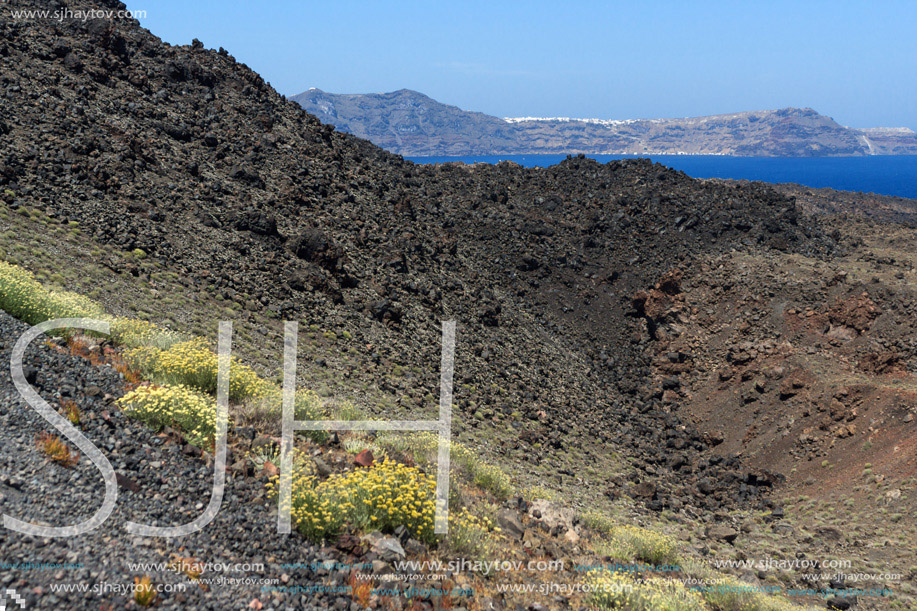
(23, 297)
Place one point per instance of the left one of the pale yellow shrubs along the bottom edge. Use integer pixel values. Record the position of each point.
(620, 590)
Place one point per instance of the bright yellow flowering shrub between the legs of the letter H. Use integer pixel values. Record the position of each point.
(380, 497)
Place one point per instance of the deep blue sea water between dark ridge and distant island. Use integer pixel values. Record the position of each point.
(885, 175)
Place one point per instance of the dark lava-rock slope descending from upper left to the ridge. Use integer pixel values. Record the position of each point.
(189, 156)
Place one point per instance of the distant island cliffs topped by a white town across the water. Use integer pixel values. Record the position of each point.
(412, 124)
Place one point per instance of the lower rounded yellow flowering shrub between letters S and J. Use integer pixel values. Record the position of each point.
(183, 408)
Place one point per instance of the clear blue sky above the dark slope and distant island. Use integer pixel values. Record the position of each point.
(853, 61)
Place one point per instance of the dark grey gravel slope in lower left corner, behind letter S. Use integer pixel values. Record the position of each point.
(173, 487)
